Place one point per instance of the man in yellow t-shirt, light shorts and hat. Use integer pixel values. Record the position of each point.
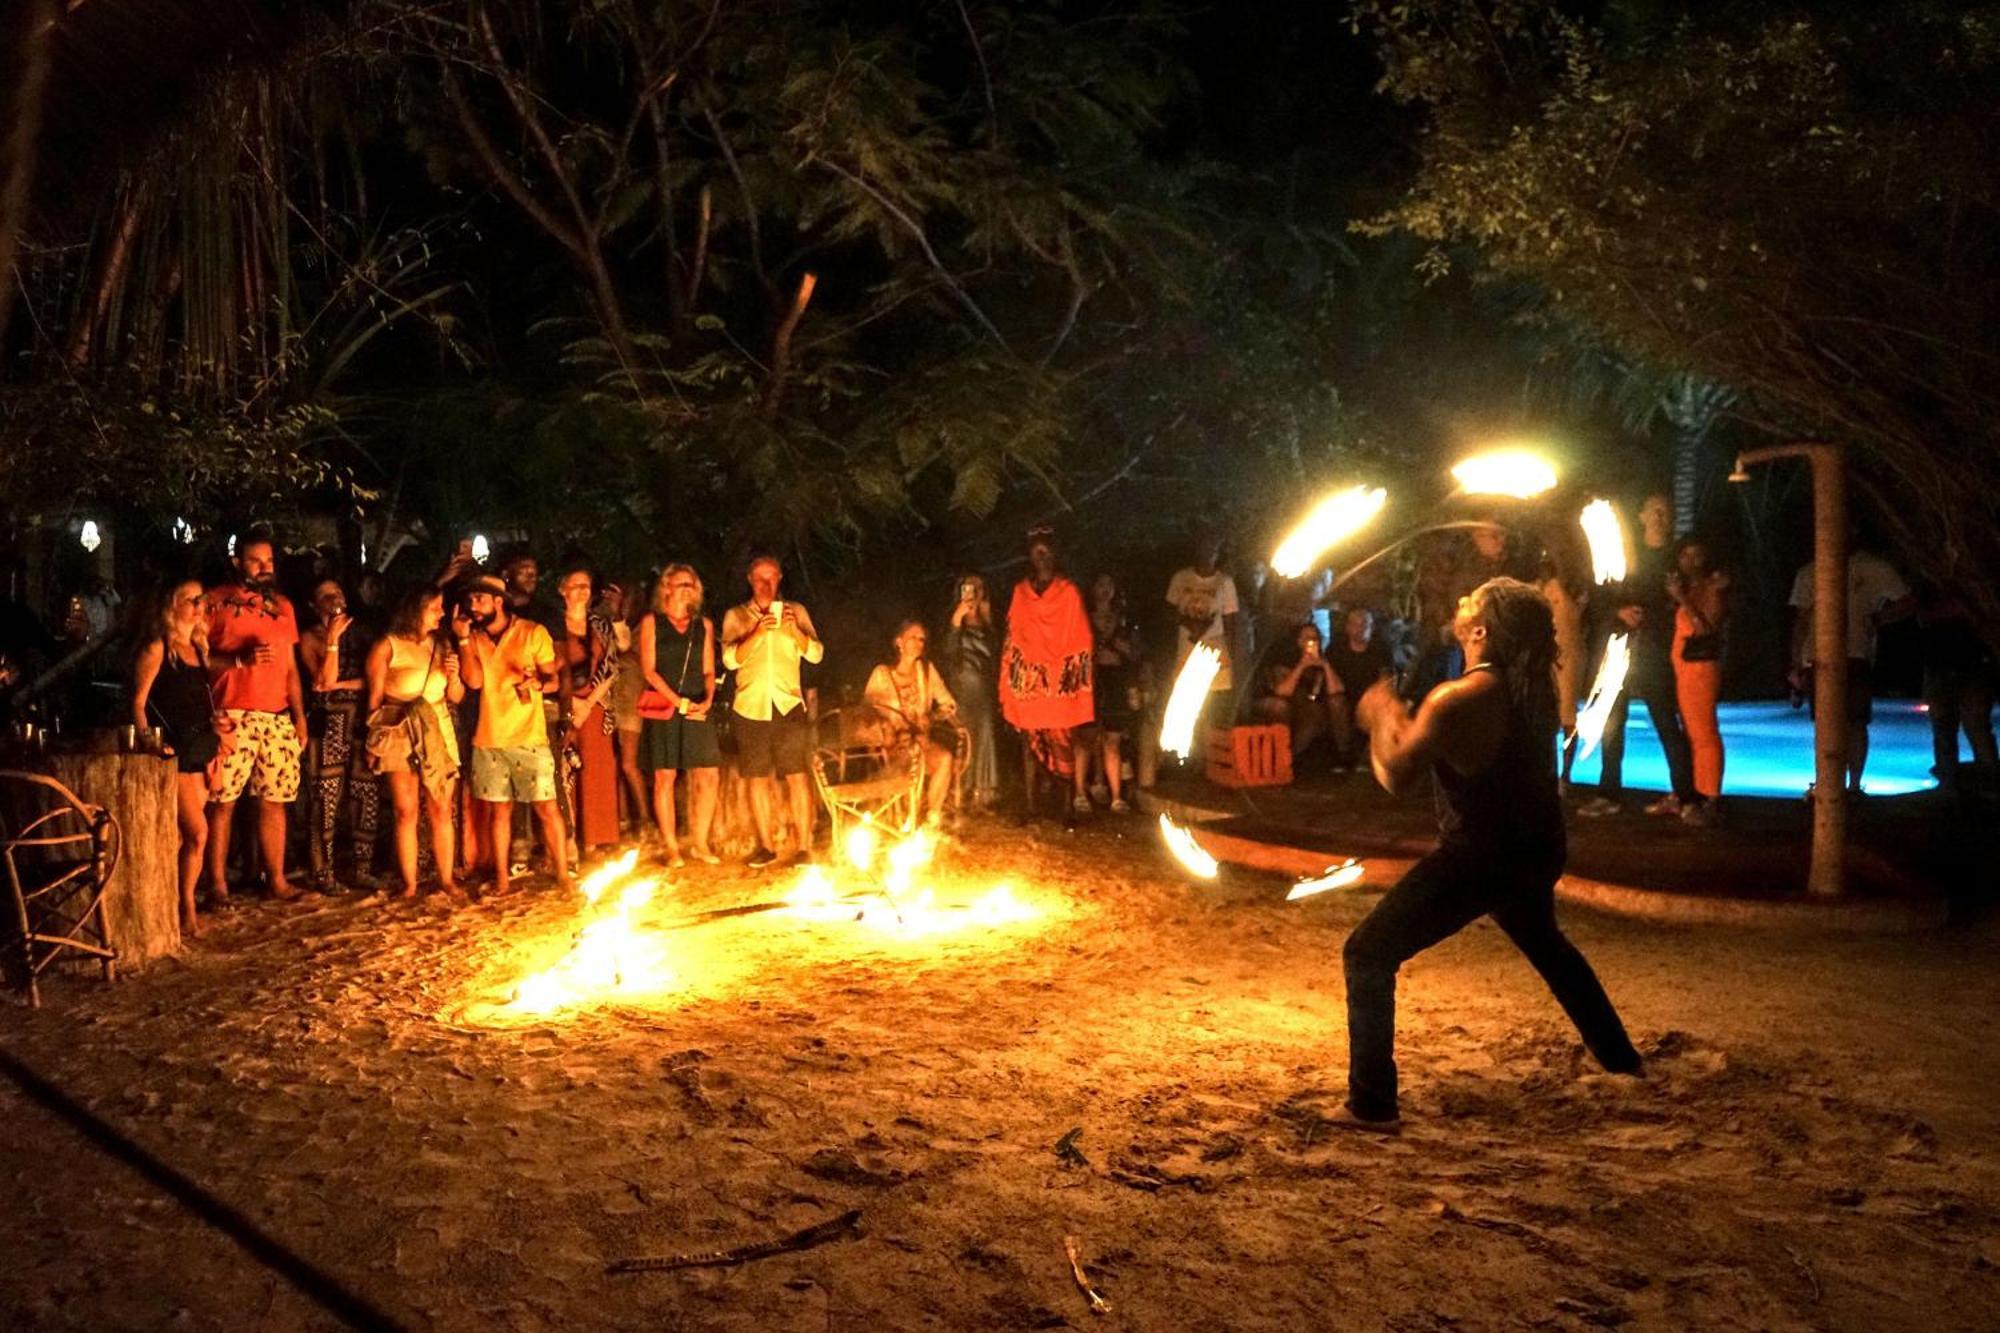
(511, 661)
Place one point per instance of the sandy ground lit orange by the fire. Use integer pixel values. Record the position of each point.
(1813, 1146)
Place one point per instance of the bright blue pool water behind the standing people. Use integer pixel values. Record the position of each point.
(1769, 752)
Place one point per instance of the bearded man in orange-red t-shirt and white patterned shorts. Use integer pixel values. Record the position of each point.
(261, 712)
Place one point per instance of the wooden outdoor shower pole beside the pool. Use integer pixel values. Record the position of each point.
(1829, 655)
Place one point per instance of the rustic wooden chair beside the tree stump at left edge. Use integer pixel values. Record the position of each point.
(59, 856)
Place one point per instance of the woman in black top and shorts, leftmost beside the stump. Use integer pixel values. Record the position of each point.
(171, 692)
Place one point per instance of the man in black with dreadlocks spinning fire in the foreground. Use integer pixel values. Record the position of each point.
(1489, 744)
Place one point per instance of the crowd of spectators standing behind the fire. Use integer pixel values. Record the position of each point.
(507, 712)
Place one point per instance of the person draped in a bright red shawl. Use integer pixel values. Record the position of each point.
(1045, 672)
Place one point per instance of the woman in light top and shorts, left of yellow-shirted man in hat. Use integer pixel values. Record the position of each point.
(413, 746)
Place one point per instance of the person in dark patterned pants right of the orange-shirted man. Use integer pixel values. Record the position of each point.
(335, 657)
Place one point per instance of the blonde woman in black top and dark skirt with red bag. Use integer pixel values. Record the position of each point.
(677, 655)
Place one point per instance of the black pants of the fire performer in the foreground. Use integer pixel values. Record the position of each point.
(1441, 896)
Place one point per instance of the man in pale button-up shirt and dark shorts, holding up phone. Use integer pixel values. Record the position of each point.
(765, 641)
